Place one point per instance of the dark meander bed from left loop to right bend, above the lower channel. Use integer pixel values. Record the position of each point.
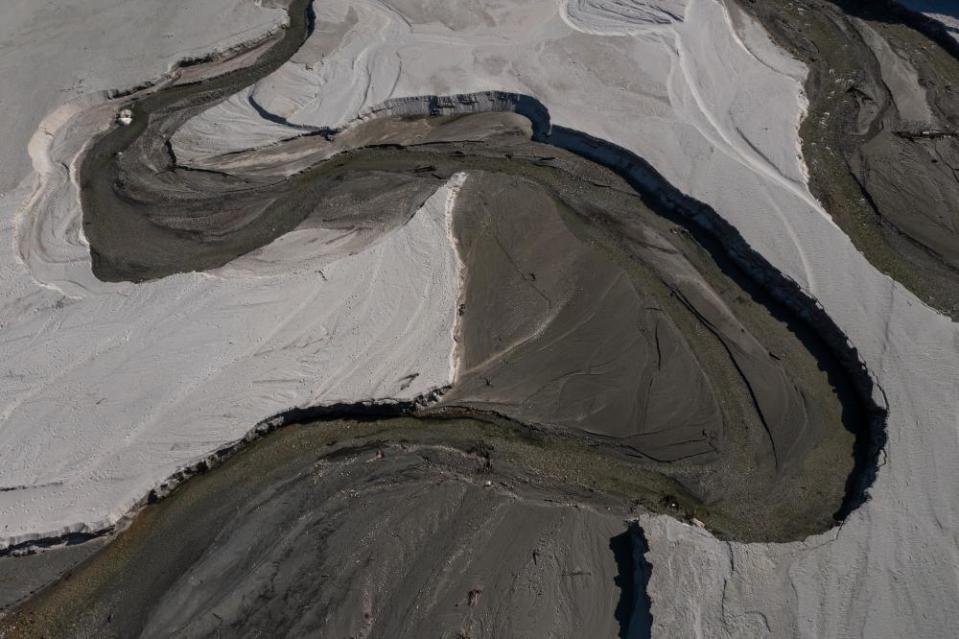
(617, 357)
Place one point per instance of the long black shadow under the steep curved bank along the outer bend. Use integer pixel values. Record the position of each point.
(862, 415)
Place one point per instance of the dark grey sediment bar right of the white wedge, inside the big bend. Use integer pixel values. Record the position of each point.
(587, 312)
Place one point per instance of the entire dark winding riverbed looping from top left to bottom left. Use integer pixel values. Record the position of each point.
(618, 349)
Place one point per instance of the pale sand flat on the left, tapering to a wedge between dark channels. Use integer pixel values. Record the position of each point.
(107, 389)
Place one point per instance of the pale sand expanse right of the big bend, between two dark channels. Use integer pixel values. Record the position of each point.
(690, 110)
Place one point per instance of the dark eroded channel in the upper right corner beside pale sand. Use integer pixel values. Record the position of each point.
(880, 136)
